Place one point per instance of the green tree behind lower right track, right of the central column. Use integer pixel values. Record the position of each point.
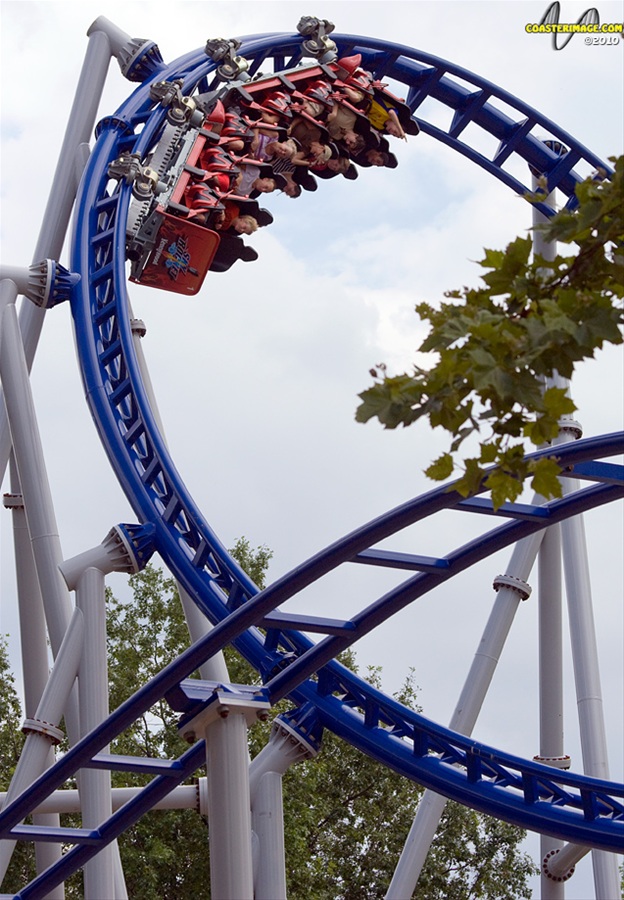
(347, 817)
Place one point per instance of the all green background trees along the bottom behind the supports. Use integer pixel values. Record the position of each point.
(346, 816)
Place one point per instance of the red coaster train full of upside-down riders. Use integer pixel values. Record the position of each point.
(194, 195)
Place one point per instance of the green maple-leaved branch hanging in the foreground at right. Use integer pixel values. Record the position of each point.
(496, 345)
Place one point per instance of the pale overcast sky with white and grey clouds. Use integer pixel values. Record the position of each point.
(257, 377)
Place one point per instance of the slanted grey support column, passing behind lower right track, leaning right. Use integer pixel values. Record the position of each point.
(511, 590)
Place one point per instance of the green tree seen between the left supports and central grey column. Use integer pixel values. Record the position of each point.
(164, 855)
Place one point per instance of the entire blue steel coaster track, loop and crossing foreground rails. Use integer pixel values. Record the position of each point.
(570, 807)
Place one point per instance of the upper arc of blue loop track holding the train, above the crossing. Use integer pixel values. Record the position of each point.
(110, 371)
